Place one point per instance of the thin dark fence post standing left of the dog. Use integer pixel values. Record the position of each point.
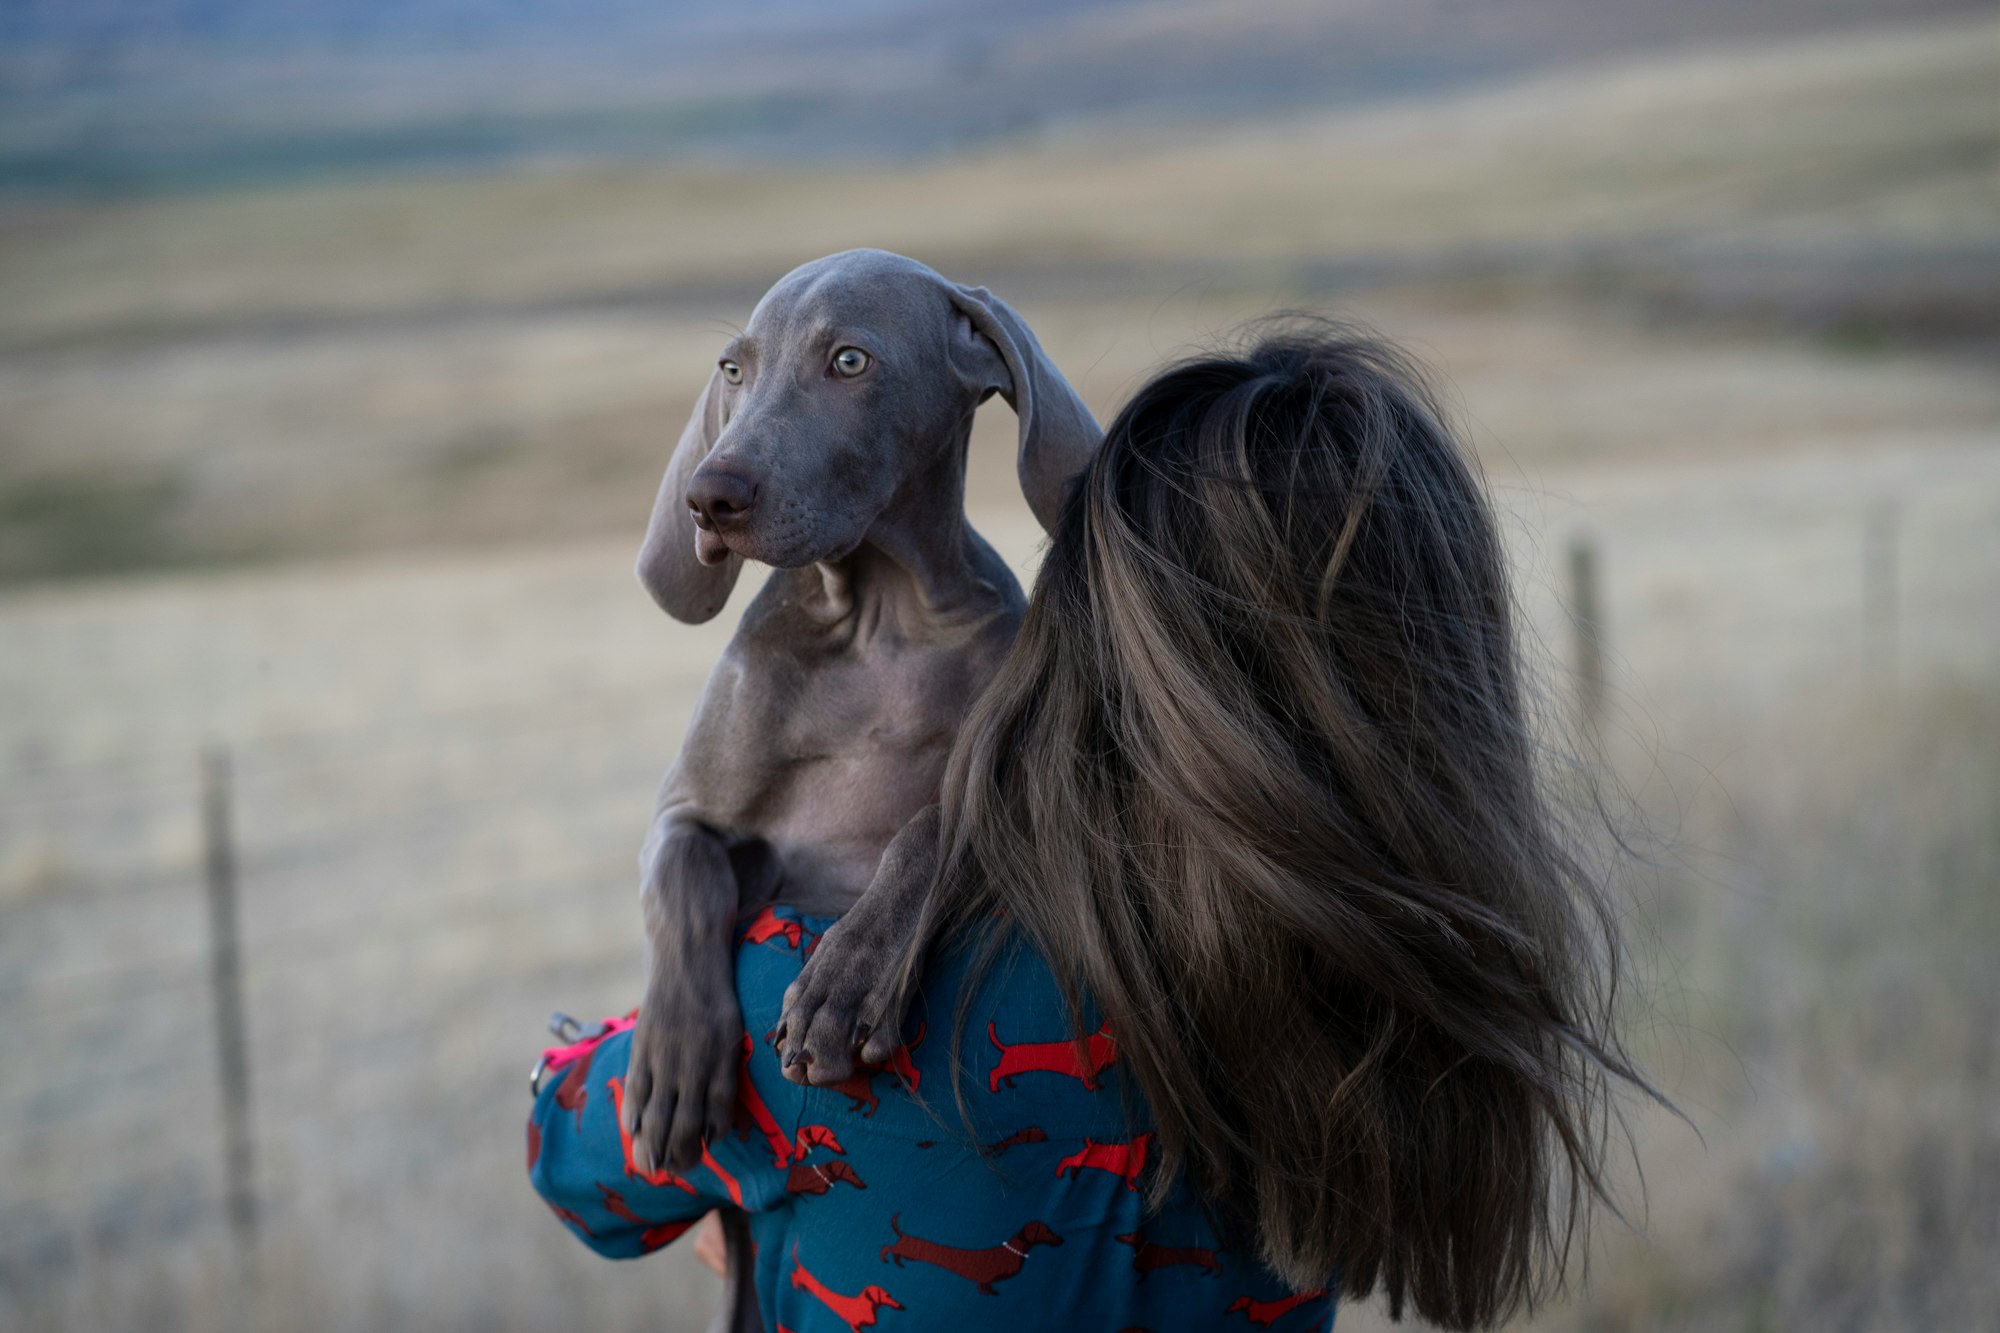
(225, 958)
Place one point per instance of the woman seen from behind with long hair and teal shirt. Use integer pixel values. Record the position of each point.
(1249, 906)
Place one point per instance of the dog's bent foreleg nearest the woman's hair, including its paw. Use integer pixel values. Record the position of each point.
(851, 994)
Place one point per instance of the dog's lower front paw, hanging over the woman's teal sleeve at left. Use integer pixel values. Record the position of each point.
(681, 1082)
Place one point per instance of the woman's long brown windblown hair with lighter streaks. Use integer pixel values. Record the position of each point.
(1259, 782)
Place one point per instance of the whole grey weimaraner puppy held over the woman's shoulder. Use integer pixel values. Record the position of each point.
(831, 443)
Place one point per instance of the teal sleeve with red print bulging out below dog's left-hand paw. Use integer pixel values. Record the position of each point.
(581, 1162)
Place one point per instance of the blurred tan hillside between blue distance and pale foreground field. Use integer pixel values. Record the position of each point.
(473, 357)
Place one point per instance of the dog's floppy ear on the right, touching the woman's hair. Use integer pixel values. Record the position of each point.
(1057, 431)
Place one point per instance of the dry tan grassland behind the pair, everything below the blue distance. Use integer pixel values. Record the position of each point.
(347, 475)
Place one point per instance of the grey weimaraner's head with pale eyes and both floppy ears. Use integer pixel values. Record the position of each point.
(843, 393)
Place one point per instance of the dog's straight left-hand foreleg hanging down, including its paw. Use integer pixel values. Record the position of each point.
(681, 1084)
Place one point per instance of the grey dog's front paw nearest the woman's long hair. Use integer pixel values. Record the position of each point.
(845, 1006)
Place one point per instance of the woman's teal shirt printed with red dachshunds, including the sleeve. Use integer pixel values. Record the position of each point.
(845, 1172)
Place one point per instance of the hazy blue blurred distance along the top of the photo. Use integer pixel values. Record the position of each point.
(117, 95)
